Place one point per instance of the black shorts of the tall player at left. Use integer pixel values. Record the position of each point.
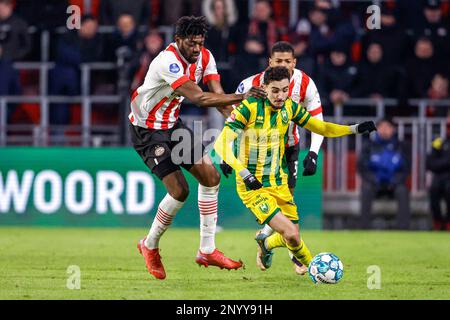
(155, 147)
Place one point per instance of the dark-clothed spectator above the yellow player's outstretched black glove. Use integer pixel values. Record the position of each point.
(376, 79)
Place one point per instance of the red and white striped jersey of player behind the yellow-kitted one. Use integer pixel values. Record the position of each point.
(302, 90)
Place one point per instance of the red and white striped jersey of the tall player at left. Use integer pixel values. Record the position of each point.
(155, 105)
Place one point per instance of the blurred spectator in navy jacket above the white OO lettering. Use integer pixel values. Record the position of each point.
(74, 48)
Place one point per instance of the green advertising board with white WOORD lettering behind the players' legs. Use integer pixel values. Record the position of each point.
(112, 187)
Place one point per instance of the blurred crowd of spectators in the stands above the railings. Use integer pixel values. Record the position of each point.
(408, 57)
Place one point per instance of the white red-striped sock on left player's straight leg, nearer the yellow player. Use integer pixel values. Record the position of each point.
(207, 204)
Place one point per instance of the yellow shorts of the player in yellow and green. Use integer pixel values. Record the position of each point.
(266, 202)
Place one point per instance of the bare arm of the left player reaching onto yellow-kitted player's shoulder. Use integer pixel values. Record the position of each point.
(194, 93)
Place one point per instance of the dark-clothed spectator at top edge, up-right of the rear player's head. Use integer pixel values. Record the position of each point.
(329, 29)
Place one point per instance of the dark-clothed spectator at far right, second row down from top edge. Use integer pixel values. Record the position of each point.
(421, 68)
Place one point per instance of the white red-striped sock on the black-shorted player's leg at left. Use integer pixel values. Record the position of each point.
(167, 210)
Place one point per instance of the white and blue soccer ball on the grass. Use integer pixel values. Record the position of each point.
(326, 268)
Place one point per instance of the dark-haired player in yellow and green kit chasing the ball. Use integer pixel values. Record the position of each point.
(260, 127)
